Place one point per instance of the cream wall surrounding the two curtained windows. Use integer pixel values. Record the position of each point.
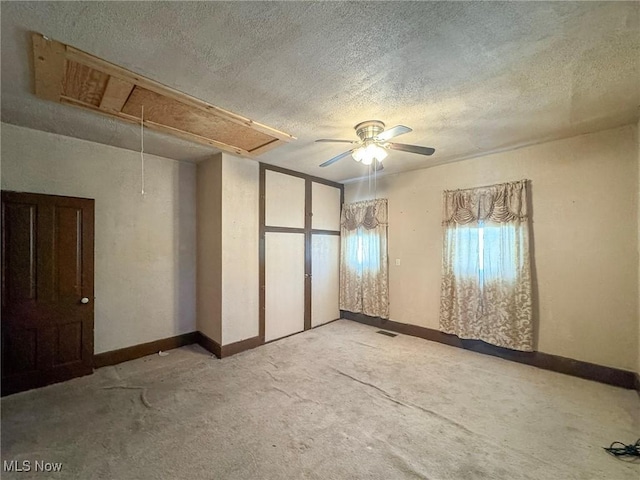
(585, 216)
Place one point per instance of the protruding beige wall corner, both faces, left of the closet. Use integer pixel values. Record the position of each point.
(228, 248)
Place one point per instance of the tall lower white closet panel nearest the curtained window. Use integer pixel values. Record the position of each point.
(325, 258)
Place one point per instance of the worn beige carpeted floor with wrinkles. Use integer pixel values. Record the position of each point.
(337, 402)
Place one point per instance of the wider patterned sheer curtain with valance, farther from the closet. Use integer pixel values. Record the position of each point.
(486, 278)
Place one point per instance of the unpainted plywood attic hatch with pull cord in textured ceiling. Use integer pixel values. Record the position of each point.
(67, 75)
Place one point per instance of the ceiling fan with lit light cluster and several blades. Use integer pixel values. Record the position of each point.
(372, 147)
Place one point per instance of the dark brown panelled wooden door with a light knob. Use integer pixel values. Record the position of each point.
(47, 289)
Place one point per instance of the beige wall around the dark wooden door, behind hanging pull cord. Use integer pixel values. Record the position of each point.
(144, 246)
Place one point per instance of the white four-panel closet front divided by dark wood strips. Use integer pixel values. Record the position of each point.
(301, 252)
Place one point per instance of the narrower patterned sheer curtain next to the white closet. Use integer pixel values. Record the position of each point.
(364, 284)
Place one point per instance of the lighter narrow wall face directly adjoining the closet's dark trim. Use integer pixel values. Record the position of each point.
(240, 190)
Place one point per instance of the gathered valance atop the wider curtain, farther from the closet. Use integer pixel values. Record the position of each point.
(501, 203)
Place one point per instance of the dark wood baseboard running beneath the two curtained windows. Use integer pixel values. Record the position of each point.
(569, 366)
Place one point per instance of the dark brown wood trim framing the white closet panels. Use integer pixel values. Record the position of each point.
(307, 230)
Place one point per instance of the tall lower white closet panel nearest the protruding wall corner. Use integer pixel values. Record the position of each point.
(284, 276)
